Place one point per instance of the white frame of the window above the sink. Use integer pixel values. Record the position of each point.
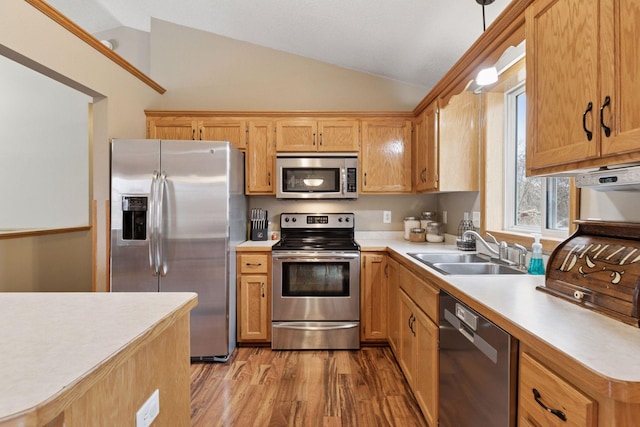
(510, 174)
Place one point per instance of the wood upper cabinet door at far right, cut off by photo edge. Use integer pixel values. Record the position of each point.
(620, 64)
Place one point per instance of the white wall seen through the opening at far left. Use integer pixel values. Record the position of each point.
(44, 151)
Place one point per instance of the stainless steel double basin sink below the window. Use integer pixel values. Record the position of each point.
(464, 264)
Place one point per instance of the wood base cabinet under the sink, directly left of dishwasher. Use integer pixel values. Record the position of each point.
(418, 341)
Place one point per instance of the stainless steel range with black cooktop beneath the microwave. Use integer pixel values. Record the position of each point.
(316, 283)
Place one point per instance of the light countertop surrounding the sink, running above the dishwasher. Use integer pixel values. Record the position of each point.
(599, 343)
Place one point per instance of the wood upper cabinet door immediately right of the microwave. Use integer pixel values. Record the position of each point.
(385, 156)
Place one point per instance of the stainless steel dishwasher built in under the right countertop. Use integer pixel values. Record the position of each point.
(478, 365)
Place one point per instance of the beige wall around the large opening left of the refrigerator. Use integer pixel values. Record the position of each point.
(60, 262)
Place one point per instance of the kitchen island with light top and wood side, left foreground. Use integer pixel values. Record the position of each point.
(79, 359)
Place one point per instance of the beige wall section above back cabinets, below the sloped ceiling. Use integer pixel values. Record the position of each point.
(204, 71)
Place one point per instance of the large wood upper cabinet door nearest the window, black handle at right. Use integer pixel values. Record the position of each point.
(562, 82)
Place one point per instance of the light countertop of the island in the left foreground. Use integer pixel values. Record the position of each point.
(51, 340)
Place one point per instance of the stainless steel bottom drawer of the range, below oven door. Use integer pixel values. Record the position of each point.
(315, 335)
